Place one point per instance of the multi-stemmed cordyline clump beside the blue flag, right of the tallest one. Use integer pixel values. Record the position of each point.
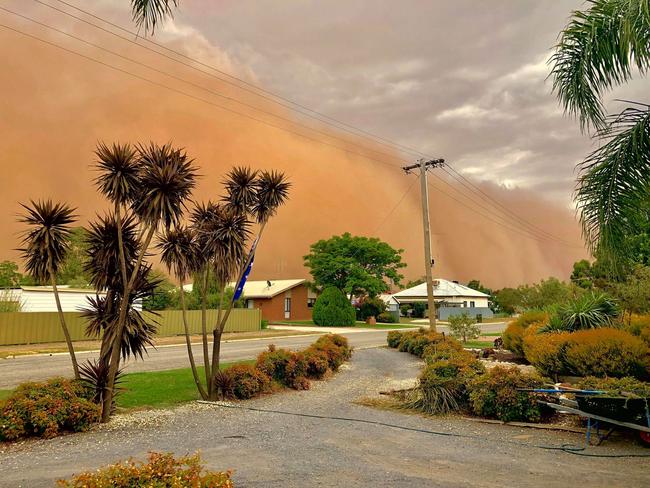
(220, 241)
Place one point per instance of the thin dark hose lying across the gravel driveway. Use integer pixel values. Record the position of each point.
(576, 450)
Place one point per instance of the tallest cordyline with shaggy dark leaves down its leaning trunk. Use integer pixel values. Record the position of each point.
(149, 186)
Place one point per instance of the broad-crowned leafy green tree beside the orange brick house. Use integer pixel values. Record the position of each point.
(355, 265)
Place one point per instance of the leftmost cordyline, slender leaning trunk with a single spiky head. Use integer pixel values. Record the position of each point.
(46, 245)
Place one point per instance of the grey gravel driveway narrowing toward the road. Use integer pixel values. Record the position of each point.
(278, 450)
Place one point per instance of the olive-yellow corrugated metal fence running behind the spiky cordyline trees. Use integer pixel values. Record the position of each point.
(37, 327)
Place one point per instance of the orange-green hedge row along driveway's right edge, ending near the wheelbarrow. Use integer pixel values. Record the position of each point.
(454, 380)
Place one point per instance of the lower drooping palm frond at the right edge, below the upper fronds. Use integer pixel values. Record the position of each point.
(613, 180)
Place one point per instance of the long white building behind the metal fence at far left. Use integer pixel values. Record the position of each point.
(41, 298)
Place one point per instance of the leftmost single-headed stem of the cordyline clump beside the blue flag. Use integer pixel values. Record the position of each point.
(179, 251)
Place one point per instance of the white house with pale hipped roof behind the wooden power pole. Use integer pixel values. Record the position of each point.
(451, 298)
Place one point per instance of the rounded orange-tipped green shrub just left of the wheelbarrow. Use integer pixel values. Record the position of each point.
(495, 395)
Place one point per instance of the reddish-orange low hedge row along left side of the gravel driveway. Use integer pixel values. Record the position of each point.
(285, 369)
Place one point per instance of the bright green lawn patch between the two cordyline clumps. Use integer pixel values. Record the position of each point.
(159, 389)
